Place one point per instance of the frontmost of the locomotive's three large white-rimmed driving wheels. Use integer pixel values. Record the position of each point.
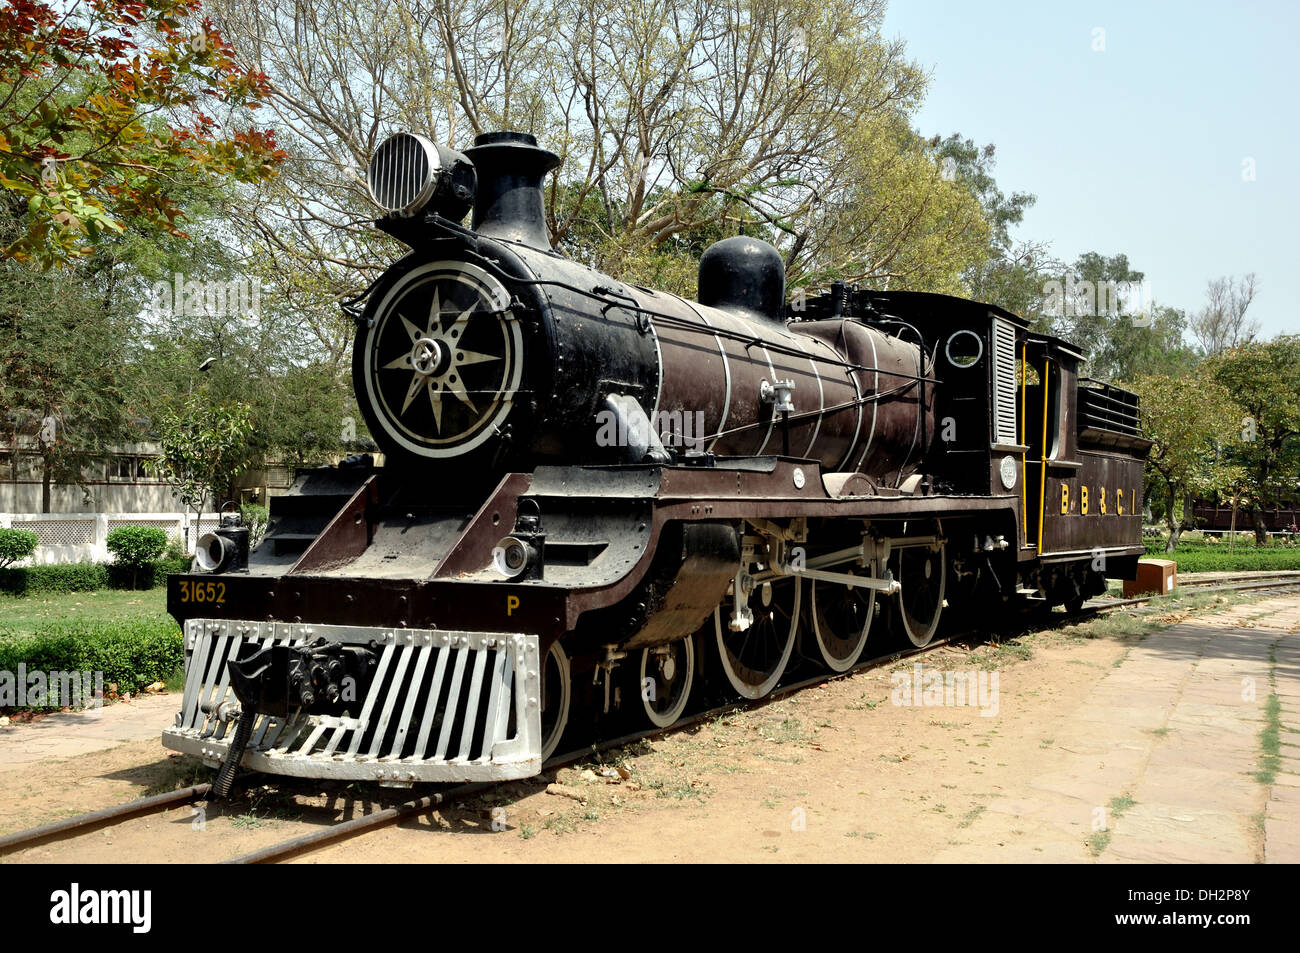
(755, 660)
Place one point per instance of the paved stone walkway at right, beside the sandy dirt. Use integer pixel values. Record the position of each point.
(1162, 760)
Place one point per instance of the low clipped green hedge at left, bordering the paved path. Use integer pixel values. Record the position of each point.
(129, 655)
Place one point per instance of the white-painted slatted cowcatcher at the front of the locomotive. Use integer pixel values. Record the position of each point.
(427, 716)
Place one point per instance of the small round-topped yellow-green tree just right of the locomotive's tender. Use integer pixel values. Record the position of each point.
(1189, 421)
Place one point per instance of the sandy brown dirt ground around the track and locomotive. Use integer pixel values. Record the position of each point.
(837, 773)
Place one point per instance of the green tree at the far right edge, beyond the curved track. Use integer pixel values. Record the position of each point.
(1264, 379)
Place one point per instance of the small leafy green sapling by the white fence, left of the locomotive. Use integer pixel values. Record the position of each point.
(202, 449)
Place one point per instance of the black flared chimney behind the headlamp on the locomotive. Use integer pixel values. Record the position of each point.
(509, 200)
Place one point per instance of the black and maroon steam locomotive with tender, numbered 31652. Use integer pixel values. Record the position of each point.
(604, 492)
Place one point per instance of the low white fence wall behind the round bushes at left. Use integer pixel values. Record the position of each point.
(84, 538)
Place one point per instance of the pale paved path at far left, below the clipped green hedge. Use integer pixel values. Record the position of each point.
(67, 734)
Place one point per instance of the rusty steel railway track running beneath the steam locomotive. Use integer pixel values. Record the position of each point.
(96, 821)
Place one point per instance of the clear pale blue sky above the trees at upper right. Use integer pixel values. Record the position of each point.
(1137, 149)
